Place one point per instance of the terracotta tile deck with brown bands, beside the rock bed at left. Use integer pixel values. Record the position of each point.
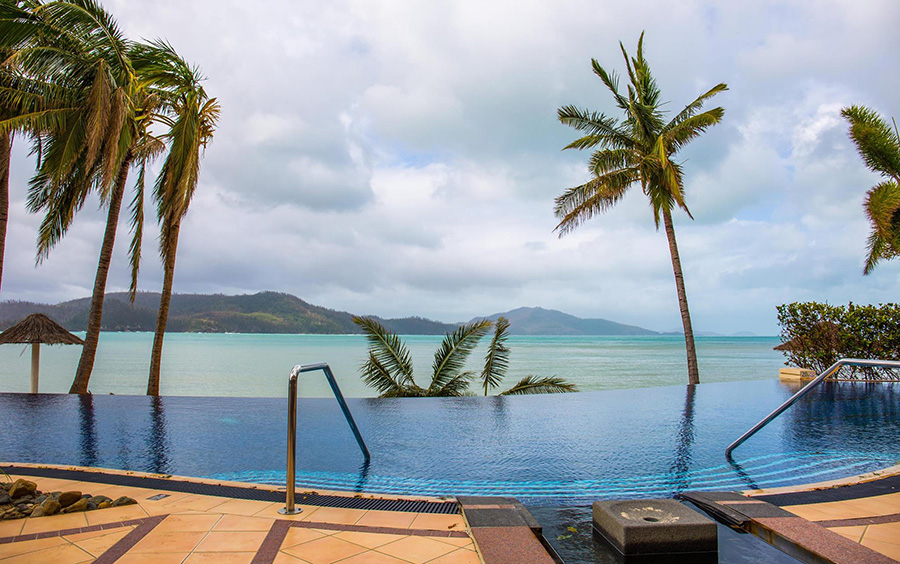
(196, 529)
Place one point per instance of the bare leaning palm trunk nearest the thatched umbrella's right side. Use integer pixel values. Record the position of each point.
(89, 351)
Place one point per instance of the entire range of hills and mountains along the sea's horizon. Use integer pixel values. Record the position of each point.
(275, 312)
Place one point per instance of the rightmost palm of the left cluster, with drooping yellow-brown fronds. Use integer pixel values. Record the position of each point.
(191, 117)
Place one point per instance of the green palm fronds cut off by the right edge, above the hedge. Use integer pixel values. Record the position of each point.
(879, 147)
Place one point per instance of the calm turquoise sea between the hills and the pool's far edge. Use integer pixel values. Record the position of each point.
(252, 365)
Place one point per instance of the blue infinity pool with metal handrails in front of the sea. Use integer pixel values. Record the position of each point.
(552, 451)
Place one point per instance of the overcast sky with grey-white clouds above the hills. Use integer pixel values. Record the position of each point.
(401, 158)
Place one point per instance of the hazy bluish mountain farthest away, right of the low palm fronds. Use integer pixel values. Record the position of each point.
(540, 321)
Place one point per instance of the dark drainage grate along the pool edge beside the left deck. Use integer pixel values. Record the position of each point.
(319, 500)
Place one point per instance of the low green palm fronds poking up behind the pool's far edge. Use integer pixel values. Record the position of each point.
(389, 367)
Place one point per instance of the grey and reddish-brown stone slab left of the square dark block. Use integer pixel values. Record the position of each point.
(505, 532)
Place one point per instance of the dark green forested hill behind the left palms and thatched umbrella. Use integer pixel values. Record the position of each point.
(265, 312)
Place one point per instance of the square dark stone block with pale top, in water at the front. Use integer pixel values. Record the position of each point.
(654, 526)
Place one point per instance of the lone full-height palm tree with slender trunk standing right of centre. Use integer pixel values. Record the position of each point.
(638, 149)
